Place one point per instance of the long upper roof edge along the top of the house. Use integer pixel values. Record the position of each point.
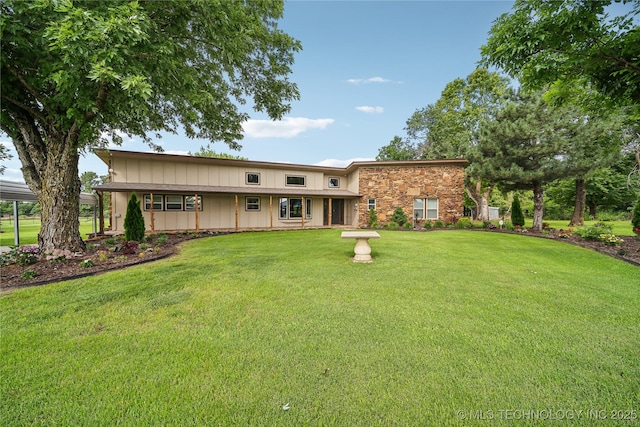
(105, 155)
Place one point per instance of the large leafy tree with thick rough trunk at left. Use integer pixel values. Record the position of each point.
(75, 71)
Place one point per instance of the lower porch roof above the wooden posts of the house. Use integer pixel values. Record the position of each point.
(207, 189)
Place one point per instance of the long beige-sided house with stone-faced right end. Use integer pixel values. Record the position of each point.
(180, 192)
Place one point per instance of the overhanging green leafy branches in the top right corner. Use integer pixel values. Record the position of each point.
(570, 43)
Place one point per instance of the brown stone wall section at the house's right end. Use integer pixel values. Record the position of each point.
(398, 186)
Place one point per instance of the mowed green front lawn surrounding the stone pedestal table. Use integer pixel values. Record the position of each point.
(441, 326)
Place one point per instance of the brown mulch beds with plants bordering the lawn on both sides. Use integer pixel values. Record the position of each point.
(11, 276)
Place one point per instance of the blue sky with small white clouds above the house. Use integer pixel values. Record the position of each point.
(365, 67)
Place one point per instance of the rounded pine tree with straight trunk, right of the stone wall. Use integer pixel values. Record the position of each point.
(523, 146)
